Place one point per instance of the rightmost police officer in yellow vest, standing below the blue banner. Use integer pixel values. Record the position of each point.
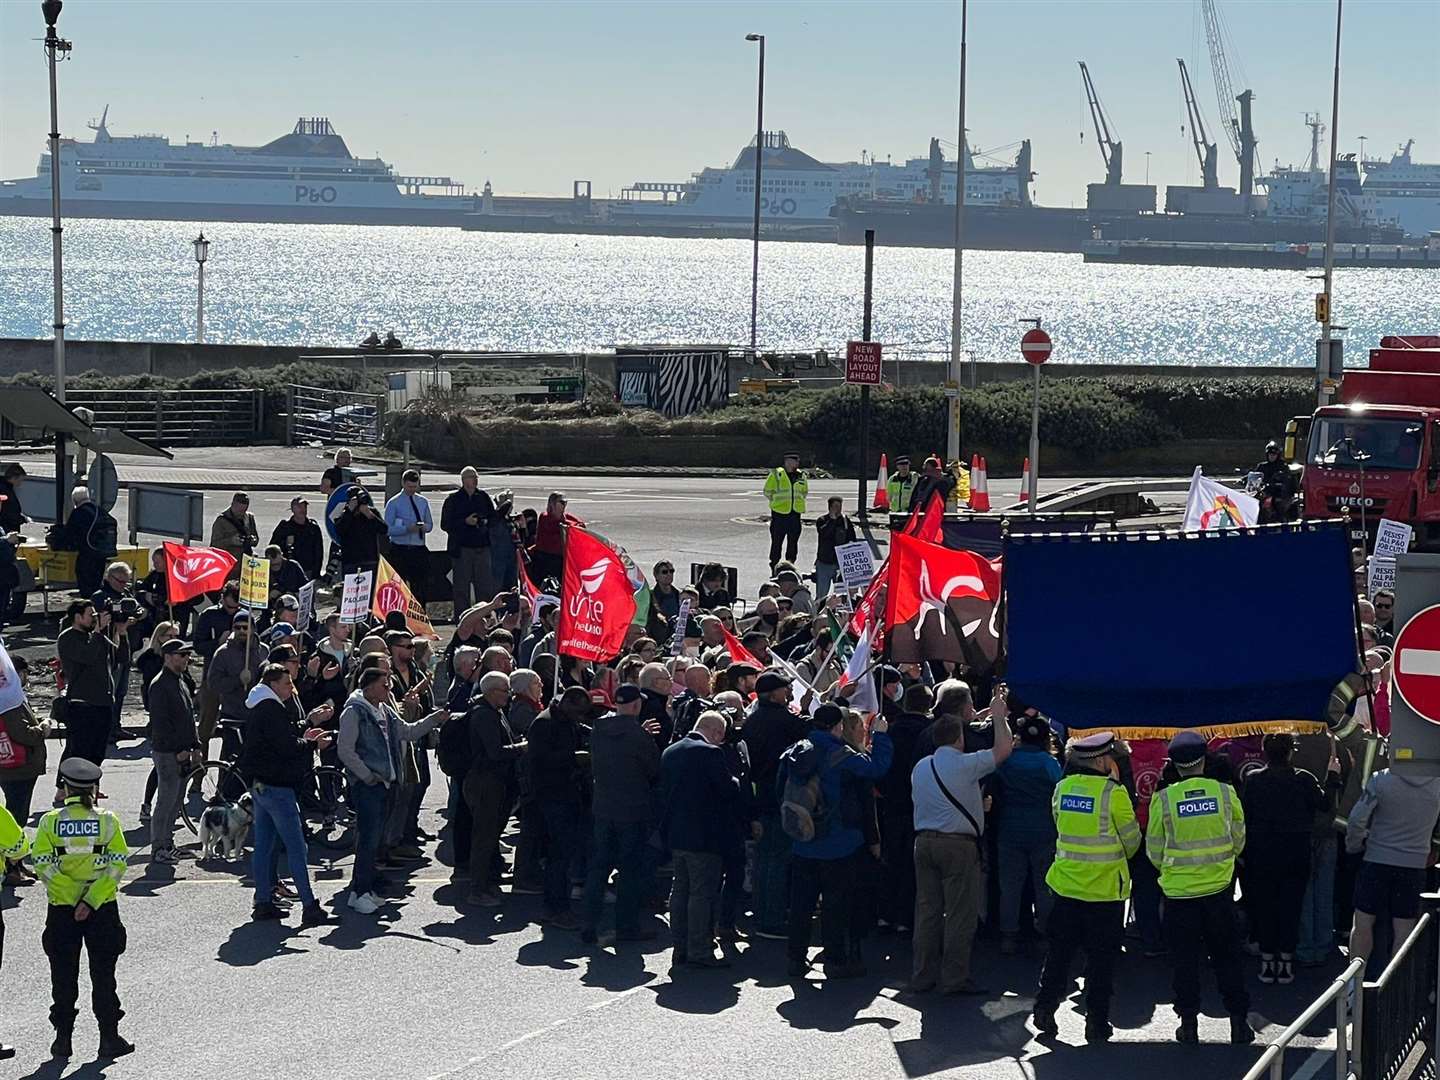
(1196, 833)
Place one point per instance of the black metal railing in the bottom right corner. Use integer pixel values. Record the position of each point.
(1400, 1007)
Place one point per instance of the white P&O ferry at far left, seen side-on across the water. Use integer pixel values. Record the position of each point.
(305, 176)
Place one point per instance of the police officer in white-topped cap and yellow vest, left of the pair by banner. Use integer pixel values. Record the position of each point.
(1091, 879)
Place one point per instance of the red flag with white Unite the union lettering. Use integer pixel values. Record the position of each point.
(597, 600)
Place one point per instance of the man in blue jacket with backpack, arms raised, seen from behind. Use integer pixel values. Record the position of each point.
(829, 863)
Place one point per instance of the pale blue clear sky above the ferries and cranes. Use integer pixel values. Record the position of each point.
(535, 96)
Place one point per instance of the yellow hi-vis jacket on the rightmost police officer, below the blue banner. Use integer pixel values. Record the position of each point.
(1197, 830)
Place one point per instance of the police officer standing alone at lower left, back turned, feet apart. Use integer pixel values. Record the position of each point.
(81, 853)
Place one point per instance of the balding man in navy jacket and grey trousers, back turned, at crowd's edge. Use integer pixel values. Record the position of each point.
(701, 800)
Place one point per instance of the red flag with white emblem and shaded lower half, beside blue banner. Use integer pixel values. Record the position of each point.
(941, 604)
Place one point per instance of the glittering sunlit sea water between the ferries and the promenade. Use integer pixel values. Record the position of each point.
(329, 286)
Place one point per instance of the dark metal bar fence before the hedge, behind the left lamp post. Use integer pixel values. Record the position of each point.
(178, 418)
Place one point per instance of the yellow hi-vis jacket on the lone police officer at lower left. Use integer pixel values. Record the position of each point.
(81, 855)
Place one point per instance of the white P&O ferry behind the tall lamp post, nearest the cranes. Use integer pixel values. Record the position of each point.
(801, 191)
